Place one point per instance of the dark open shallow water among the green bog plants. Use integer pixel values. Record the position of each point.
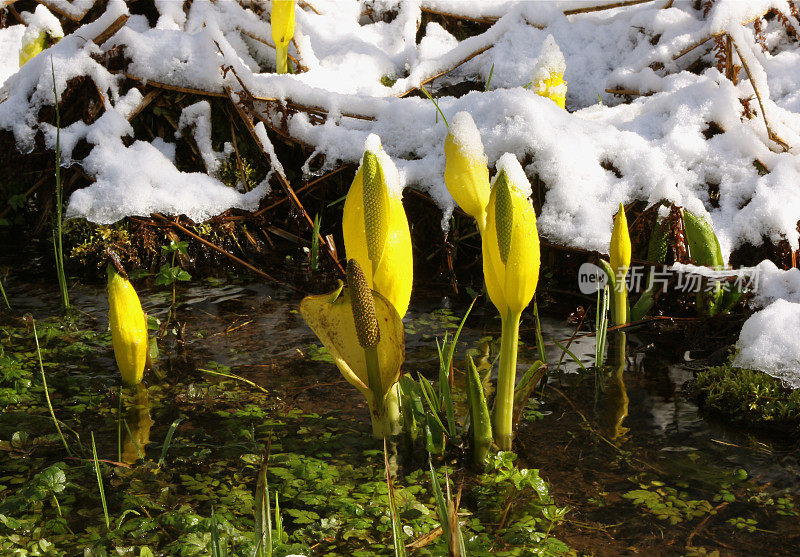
(596, 437)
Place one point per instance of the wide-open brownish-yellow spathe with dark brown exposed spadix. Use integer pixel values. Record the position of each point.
(364, 335)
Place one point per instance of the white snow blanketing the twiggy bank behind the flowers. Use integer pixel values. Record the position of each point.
(362, 66)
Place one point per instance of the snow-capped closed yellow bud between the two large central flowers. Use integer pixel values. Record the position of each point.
(465, 173)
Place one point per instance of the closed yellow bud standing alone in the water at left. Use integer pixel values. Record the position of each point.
(128, 329)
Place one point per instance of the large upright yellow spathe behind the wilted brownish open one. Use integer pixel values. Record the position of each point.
(375, 227)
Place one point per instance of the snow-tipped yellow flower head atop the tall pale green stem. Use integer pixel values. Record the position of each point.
(510, 241)
